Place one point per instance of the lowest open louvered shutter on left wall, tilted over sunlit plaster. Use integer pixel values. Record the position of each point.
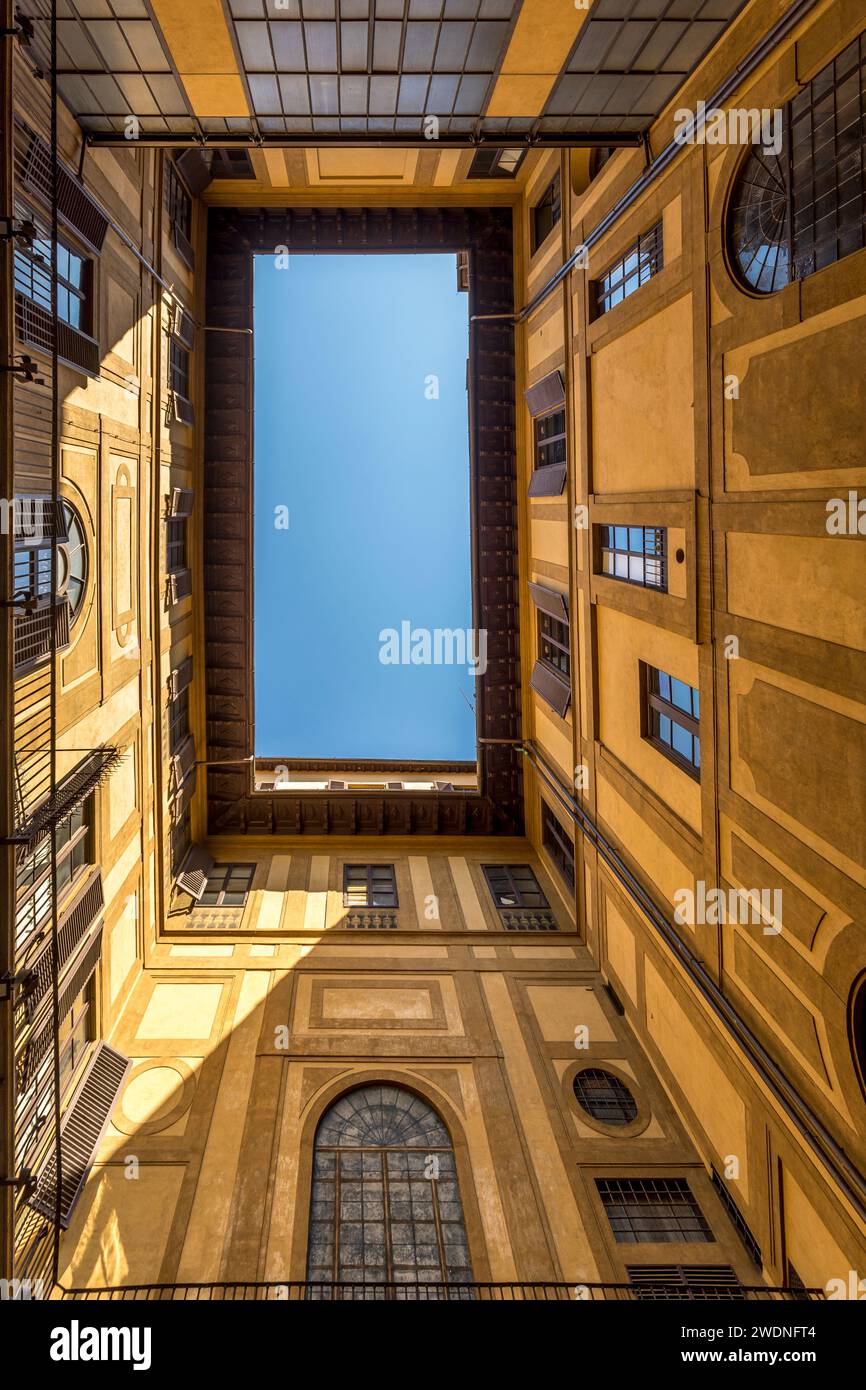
(81, 1132)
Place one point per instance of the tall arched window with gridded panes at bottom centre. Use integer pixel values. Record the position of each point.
(386, 1206)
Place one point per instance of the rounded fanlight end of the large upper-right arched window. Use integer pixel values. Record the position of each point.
(758, 222)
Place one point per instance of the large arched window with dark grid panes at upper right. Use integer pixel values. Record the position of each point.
(799, 201)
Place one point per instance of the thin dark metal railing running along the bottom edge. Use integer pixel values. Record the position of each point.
(322, 1292)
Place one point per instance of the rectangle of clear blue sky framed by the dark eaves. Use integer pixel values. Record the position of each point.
(376, 480)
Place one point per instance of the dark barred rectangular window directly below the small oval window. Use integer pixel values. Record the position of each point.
(653, 1211)
